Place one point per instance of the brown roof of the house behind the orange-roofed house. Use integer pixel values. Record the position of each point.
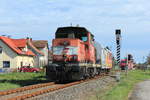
(40, 43)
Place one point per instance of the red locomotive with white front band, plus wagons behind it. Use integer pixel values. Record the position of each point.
(76, 55)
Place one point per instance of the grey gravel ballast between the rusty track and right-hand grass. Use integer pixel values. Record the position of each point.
(77, 92)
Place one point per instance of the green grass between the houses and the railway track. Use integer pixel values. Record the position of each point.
(15, 80)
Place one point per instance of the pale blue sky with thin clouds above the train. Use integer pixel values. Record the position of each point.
(39, 19)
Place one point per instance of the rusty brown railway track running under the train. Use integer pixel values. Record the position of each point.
(39, 89)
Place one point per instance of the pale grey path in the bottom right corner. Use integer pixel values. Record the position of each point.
(141, 91)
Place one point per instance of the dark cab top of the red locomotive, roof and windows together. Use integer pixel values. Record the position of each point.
(72, 32)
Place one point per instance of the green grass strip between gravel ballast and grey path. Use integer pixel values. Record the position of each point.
(121, 90)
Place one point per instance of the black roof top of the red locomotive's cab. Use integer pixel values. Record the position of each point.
(70, 29)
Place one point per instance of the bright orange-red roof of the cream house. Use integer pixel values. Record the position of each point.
(15, 45)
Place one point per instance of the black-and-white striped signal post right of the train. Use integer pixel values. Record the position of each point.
(118, 42)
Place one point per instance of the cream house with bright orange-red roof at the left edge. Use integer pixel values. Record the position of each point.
(15, 53)
